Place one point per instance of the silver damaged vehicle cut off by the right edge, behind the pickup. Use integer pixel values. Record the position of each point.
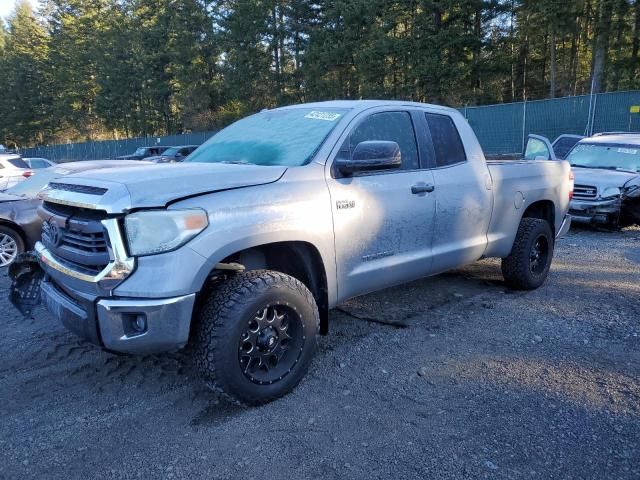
(607, 180)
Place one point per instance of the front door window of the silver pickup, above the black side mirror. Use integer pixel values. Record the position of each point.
(395, 126)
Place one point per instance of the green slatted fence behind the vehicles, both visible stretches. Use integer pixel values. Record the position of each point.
(501, 129)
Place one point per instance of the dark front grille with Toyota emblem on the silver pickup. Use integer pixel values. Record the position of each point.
(79, 240)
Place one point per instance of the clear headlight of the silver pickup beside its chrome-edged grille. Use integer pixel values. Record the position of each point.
(157, 231)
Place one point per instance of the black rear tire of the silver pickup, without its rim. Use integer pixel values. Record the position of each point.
(516, 268)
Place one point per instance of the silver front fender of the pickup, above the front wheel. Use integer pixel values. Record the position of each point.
(294, 209)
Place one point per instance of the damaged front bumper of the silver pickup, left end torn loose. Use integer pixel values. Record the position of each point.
(127, 325)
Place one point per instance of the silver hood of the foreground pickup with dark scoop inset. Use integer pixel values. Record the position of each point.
(118, 190)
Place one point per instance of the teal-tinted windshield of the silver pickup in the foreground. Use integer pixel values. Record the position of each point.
(283, 137)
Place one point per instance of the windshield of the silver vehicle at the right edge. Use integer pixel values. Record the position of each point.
(604, 155)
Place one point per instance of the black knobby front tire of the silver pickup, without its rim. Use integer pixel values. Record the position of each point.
(222, 317)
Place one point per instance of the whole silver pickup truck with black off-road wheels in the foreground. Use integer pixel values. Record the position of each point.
(245, 247)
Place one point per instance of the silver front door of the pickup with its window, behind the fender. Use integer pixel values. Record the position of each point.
(383, 221)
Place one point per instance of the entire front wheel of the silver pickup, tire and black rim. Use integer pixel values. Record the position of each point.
(255, 336)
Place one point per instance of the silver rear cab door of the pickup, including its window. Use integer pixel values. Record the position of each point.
(462, 193)
